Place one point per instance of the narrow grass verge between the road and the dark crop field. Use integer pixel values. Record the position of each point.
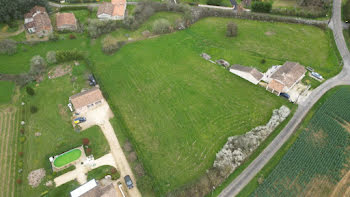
(253, 184)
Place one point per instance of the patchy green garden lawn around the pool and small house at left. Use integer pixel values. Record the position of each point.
(53, 121)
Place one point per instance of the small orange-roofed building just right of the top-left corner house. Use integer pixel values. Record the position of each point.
(66, 21)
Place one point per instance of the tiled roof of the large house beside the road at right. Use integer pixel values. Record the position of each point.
(289, 73)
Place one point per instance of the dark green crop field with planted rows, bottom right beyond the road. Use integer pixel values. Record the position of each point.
(317, 158)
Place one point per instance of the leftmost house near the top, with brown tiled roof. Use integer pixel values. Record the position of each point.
(38, 21)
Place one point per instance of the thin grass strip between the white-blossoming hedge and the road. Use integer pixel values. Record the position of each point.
(254, 155)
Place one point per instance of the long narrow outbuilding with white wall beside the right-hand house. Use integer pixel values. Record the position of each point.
(250, 74)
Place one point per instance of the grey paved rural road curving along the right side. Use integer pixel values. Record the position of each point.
(343, 78)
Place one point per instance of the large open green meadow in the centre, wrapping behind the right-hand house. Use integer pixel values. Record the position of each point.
(180, 109)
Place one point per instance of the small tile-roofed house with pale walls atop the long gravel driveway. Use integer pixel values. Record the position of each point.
(87, 99)
